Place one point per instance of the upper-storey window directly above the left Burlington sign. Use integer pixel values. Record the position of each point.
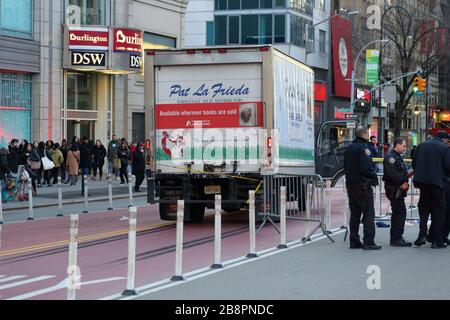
(86, 12)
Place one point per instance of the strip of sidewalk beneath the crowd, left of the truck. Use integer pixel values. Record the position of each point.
(98, 191)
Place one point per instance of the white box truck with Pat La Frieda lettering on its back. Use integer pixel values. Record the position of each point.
(219, 119)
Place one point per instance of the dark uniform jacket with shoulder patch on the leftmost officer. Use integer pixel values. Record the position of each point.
(358, 164)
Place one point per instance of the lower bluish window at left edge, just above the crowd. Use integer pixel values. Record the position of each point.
(15, 107)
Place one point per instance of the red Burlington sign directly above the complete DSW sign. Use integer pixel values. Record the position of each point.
(88, 39)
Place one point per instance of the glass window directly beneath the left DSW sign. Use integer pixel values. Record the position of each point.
(82, 91)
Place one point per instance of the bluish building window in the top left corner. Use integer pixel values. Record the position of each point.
(16, 18)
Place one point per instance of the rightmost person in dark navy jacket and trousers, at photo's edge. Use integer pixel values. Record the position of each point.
(431, 164)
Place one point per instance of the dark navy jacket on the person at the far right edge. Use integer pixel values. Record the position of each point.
(431, 163)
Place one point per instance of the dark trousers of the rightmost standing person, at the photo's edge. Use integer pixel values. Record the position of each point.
(432, 200)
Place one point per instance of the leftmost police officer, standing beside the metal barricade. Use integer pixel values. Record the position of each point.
(360, 177)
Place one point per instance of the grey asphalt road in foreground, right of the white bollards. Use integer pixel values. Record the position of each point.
(322, 270)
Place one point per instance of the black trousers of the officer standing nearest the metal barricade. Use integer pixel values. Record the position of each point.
(361, 203)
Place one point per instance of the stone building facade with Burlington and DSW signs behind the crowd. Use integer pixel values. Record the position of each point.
(47, 95)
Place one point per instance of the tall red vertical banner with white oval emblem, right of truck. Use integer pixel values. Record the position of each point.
(342, 56)
